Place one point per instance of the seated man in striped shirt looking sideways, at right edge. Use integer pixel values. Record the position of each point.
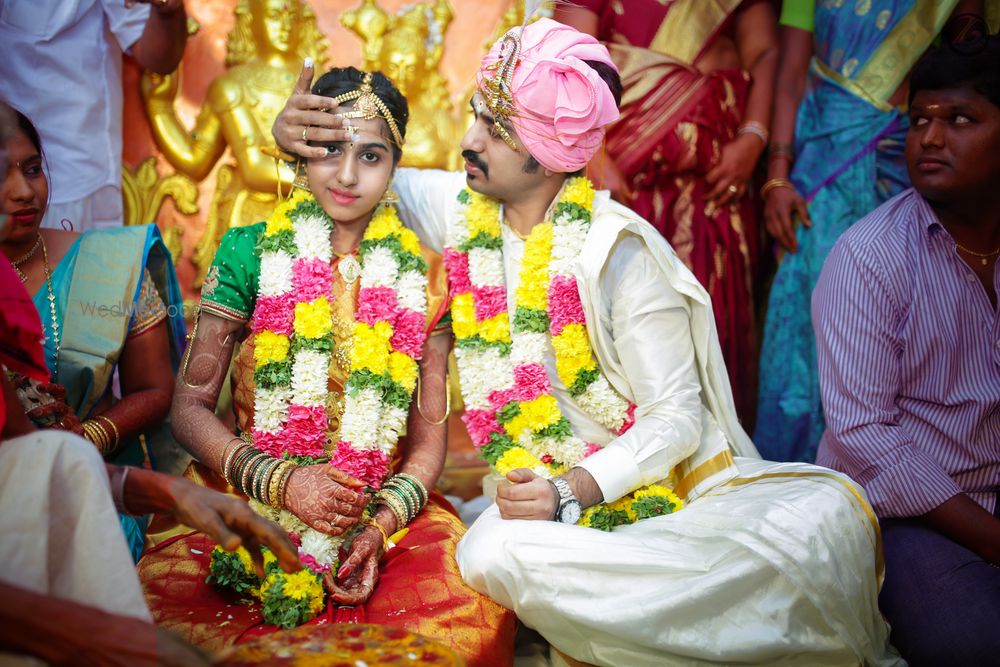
(908, 335)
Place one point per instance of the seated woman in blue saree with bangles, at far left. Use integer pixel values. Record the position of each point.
(110, 307)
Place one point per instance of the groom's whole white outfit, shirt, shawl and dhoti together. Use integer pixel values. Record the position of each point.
(768, 563)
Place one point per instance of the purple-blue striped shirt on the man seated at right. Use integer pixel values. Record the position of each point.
(908, 346)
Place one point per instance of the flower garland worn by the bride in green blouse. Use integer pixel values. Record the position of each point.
(294, 349)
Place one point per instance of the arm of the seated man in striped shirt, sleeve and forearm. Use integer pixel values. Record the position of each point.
(855, 314)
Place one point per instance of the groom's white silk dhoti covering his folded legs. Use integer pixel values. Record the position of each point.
(779, 566)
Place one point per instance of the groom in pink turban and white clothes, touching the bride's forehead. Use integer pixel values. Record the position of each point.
(593, 380)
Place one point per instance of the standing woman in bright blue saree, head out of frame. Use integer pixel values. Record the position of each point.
(847, 62)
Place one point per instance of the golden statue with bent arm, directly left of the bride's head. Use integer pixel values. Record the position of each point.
(264, 53)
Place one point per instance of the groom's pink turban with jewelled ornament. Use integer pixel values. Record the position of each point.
(561, 104)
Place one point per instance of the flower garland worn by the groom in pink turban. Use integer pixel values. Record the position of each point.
(511, 413)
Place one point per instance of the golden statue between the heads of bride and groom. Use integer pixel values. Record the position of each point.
(407, 48)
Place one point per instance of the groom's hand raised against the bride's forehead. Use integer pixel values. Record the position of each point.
(304, 119)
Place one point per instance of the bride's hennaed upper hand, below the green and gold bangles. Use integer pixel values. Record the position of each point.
(325, 498)
